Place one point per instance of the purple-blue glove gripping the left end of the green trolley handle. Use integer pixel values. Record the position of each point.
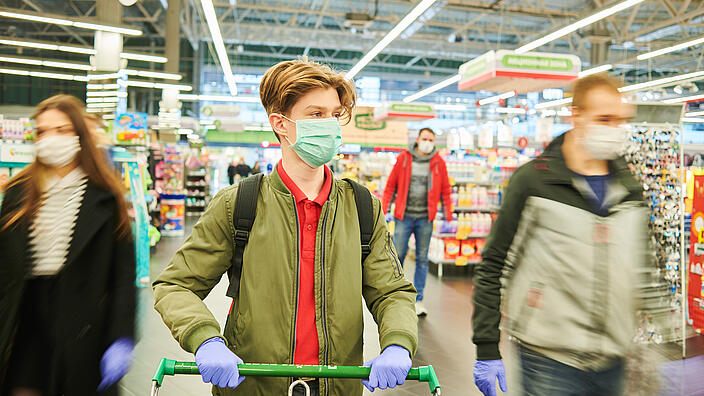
(217, 364)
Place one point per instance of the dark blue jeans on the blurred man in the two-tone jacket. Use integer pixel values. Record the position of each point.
(542, 376)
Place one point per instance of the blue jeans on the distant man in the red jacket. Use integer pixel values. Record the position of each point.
(423, 230)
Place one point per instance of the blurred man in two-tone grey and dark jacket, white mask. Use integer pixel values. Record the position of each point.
(571, 241)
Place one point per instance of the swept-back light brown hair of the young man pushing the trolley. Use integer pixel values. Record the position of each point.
(284, 83)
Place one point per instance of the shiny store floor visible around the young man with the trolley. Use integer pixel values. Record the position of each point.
(444, 337)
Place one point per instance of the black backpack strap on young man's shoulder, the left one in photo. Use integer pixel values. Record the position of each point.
(243, 219)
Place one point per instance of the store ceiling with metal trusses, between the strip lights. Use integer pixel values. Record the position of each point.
(259, 33)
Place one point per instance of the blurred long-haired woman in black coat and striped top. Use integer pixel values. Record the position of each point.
(67, 270)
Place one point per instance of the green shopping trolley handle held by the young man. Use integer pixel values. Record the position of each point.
(172, 367)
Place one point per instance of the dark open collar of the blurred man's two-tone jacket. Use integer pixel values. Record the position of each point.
(620, 185)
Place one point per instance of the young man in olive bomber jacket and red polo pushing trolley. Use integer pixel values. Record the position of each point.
(302, 279)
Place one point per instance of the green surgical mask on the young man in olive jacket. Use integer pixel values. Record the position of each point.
(317, 140)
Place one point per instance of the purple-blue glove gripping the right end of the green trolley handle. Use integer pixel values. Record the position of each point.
(388, 369)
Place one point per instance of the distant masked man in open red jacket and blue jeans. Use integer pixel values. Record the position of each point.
(417, 182)
